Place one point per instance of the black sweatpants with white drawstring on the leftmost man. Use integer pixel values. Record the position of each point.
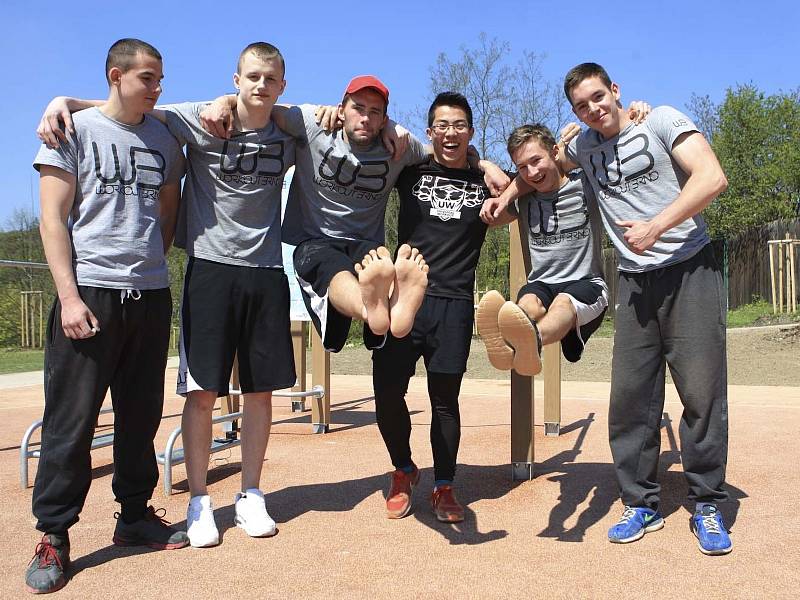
(128, 355)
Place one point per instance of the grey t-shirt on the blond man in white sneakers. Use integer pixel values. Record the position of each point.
(231, 209)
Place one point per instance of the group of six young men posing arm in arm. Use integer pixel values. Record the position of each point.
(111, 204)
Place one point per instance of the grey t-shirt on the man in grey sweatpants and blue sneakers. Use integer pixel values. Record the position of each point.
(634, 178)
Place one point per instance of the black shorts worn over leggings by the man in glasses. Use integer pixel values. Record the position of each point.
(441, 335)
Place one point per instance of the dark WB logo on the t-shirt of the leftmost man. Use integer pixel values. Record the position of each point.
(142, 175)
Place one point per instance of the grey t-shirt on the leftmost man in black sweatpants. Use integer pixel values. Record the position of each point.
(114, 221)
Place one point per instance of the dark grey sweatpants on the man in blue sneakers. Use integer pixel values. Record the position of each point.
(676, 314)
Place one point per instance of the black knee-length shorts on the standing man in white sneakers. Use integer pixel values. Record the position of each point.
(230, 310)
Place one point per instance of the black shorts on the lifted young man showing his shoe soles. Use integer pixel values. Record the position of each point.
(590, 299)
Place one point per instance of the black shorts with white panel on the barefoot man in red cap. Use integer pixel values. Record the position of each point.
(316, 262)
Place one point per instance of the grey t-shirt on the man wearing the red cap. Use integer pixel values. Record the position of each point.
(337, 190)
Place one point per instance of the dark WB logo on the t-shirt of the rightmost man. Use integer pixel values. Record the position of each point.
(631, 157)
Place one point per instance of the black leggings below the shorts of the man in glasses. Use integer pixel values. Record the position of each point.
(394, 420)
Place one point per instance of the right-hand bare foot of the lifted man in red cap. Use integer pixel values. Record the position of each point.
(411, 273)
